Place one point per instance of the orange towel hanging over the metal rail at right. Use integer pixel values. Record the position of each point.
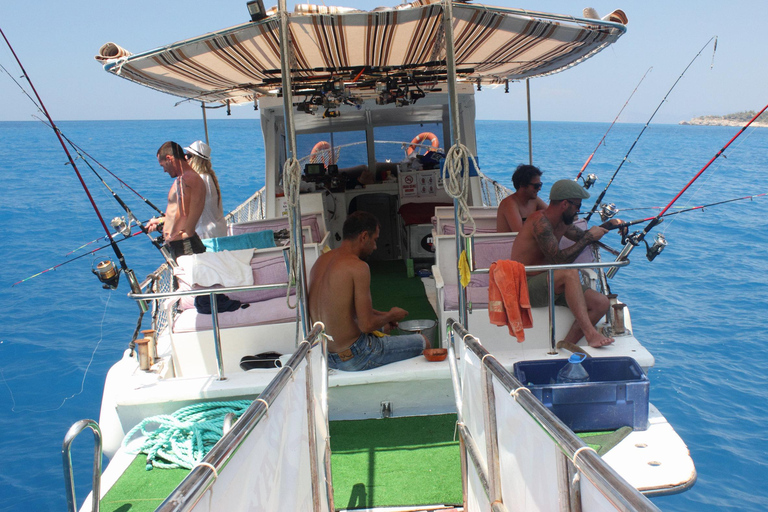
(508, 302)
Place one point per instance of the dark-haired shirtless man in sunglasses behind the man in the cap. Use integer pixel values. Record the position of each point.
(515, 208)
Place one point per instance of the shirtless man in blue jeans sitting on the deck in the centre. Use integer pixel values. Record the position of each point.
(340, 297)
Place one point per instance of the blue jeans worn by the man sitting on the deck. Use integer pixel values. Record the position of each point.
(370, 351)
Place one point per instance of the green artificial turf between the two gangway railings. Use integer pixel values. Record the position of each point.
(395, 462)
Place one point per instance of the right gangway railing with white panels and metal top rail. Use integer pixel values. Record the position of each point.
(523, 457)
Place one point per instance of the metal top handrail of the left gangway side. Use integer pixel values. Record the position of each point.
(186, 496)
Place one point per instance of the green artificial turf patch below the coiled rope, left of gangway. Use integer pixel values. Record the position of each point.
(139, 490)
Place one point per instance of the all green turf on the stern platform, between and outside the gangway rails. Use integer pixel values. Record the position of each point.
(392, 462)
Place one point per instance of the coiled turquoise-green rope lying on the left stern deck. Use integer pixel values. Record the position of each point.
(182, 439)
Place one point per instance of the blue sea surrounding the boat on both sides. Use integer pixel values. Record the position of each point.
(701, 307)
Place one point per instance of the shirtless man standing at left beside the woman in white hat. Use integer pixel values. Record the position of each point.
(186, 200)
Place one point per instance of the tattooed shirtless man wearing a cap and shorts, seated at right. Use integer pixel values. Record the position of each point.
(538, 244)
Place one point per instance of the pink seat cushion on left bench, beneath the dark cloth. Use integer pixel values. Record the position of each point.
(266, 312)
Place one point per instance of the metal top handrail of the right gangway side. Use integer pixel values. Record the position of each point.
(621, 494)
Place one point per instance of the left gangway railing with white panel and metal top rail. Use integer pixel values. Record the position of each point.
(275, 461)
